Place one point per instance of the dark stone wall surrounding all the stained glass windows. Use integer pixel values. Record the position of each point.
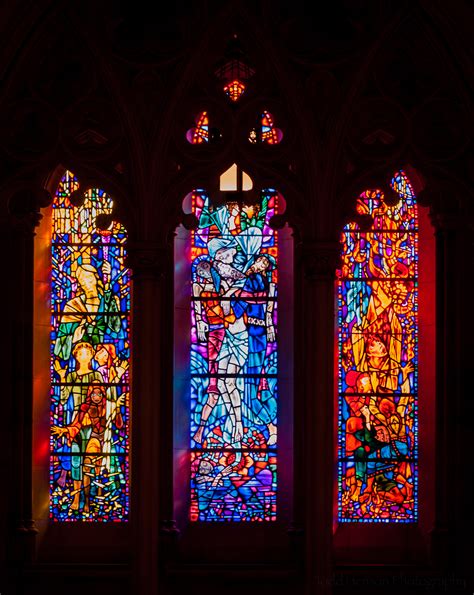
(108, 90)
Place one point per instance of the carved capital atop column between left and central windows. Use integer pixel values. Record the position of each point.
(148, 260)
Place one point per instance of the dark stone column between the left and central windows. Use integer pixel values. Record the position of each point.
(151, 266)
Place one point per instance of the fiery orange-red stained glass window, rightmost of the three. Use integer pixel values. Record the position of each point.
(378, 335)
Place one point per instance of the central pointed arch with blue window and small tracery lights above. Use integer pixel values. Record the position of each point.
(233, 385)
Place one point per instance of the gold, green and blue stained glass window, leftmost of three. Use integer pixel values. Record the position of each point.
(90, 351)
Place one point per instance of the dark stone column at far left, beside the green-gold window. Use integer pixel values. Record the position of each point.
(17, 245)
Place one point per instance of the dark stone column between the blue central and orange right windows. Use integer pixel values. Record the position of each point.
(316, 352)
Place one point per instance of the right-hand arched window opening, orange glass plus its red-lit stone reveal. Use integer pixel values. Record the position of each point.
(384, 418)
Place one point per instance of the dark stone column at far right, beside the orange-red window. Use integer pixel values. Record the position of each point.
(454, 328)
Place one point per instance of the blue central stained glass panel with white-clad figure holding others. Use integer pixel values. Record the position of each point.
(233, 430)
